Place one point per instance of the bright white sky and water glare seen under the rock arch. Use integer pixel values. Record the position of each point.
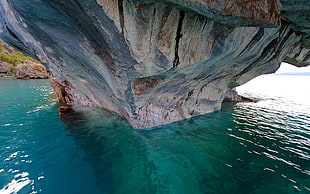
(289, 82)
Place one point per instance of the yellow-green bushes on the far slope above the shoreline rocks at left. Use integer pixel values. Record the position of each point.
(12, 56)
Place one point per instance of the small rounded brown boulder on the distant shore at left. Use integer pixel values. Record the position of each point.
(31, 70)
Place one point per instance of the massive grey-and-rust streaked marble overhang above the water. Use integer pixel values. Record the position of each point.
(156, 62)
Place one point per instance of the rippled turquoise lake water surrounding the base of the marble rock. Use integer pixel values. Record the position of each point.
(259, 147)
